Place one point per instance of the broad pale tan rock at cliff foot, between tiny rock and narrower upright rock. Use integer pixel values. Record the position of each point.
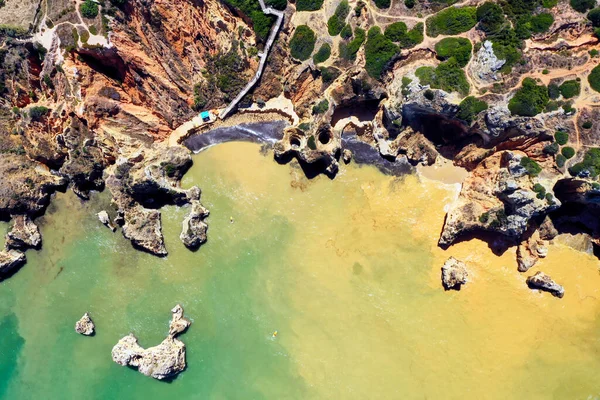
(143, 227)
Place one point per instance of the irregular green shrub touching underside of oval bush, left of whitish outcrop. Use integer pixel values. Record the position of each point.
(448, 76)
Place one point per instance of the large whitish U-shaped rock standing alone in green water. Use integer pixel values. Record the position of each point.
(160, 362)
